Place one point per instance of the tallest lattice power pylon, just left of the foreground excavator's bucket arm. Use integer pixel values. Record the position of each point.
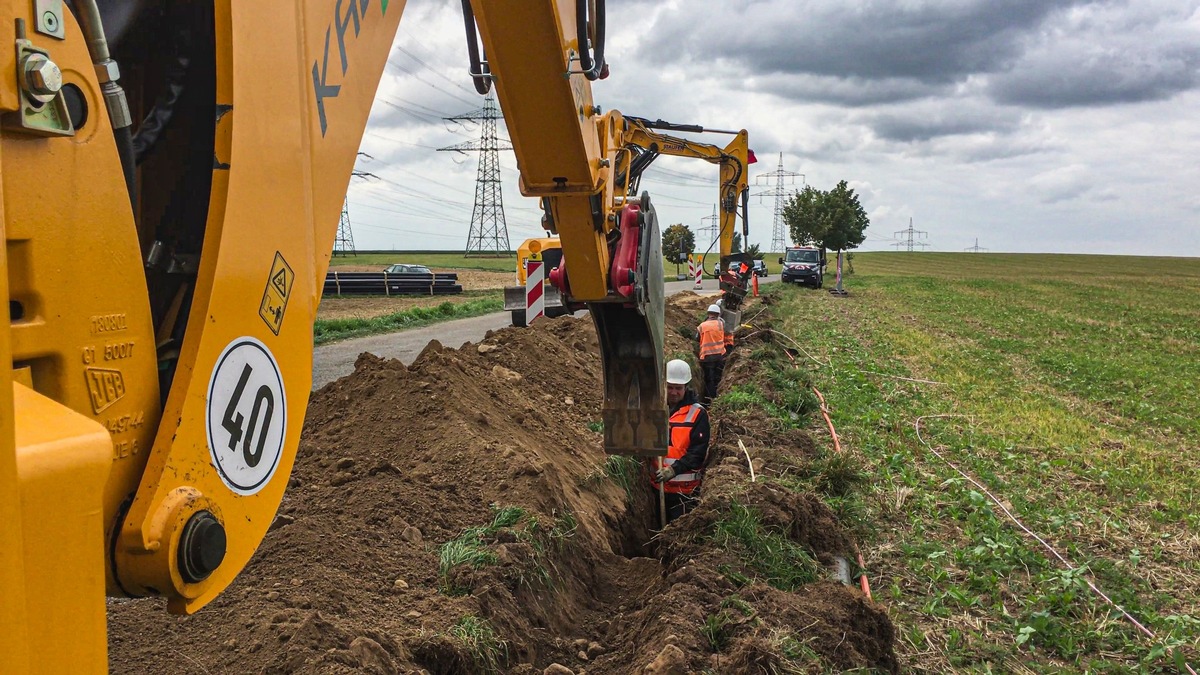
(489, 234)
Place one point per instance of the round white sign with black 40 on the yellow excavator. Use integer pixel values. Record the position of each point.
(247, 416)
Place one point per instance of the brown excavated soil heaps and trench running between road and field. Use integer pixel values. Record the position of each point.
(459, 516)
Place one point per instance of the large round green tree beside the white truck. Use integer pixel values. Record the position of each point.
(833, 219)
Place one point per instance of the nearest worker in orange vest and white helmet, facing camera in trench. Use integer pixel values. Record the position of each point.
(683, 470)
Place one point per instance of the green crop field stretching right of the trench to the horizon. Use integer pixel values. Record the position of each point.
(1066, 387)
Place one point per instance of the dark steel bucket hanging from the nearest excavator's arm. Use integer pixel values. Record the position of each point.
(631, 333)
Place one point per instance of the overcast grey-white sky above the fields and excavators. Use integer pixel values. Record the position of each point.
(1033, 126)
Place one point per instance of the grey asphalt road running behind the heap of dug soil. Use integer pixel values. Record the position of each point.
(331, 362)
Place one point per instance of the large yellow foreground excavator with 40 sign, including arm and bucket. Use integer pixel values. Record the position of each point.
(172, 181)
